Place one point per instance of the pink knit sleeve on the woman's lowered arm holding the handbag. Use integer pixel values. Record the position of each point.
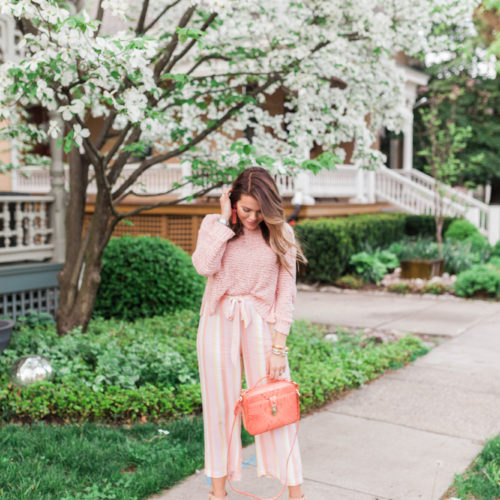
(286, 291)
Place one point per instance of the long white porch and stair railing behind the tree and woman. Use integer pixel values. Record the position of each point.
(410, 190)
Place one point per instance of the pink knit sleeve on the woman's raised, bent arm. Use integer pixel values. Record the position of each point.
(212, 240)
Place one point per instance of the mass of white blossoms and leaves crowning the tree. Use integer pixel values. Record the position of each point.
(329, 91)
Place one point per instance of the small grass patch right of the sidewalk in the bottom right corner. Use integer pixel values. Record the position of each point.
(481, 481)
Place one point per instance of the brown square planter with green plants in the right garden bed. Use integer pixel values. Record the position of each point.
(419, 258)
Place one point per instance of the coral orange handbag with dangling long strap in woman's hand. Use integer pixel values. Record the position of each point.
(265, 408)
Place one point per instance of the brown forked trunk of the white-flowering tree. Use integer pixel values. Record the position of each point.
(80, 276)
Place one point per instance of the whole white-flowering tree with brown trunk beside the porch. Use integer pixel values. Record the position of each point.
(186, 79)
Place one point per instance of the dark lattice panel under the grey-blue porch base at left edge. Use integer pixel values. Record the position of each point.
(18, 304)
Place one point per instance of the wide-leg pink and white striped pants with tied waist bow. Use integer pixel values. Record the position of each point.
(237, 329)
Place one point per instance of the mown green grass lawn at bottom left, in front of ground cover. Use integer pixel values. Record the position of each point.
(95, 461)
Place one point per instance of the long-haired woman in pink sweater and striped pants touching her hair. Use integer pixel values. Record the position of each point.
(249, 253)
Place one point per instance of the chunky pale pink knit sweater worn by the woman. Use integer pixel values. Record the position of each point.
(245, 265)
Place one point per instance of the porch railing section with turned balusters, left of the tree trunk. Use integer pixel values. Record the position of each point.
(25, 228)
